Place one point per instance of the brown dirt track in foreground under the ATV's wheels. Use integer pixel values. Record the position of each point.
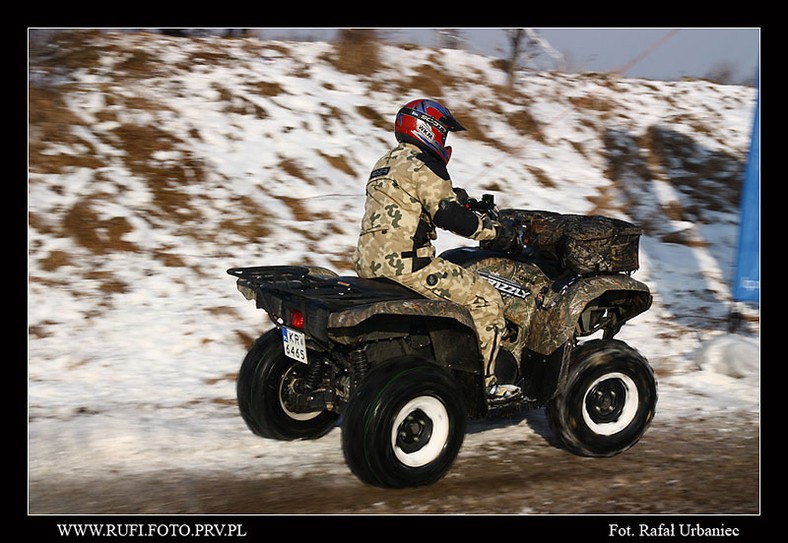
(691, 467)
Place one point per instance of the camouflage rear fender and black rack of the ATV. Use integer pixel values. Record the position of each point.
(352, 311)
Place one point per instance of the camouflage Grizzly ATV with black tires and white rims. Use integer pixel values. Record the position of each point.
(404, 372)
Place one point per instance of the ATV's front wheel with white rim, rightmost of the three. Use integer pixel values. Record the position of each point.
(607, 401)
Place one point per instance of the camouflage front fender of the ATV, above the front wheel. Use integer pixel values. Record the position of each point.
(591, 304)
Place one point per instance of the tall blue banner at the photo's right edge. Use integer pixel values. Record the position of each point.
(747, 282)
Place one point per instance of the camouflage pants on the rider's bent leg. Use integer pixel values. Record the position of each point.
(443, 280)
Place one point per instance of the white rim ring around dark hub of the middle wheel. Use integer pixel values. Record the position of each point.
(434, 409)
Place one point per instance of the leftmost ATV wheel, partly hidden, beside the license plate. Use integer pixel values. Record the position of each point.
(263, 374)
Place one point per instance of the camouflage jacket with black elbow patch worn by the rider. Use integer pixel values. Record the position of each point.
(408, 194)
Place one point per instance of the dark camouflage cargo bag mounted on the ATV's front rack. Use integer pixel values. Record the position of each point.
(584, 244)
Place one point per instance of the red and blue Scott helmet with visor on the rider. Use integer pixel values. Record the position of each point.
(426, 123)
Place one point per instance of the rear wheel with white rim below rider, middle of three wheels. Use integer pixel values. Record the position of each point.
(405, 425)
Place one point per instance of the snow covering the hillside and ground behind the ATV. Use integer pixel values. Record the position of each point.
(141, 378)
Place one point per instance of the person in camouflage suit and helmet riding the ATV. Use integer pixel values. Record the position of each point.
(408, 194)
